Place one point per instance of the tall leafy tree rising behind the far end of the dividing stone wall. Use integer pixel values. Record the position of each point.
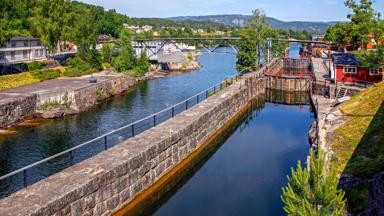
(253, 45)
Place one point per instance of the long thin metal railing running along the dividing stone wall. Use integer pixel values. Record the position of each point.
(105, 141)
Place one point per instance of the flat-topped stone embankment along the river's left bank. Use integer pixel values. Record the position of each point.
(55, 98)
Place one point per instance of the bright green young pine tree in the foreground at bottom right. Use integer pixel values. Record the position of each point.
(313, 190)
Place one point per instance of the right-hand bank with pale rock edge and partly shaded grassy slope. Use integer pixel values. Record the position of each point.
(351, 135)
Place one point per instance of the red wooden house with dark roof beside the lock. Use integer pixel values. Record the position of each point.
(348, 69)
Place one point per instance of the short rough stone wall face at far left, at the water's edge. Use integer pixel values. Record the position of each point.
(17, 109)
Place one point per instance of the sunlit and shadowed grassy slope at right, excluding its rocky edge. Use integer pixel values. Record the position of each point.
(359, 144)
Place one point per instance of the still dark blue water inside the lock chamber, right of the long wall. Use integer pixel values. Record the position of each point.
(245, 175)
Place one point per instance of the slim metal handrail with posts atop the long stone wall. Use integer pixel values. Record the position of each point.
(32, 173)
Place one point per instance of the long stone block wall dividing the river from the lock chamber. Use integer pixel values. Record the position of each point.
(111, 179)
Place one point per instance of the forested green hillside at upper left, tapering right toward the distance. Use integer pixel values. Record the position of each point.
(64, 20)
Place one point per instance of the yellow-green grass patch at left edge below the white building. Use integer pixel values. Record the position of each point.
(17, 80)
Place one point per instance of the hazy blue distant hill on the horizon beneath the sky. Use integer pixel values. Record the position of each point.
(237, 20)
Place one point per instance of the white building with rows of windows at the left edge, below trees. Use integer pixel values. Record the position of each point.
(22, 50)
